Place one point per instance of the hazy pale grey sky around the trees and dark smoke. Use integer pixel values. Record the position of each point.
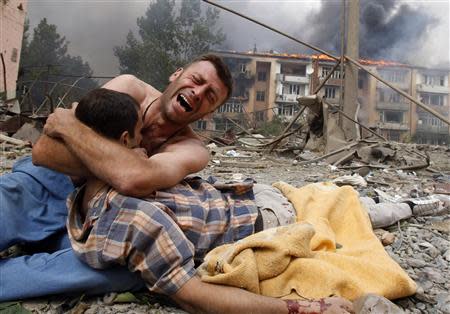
(94, 27)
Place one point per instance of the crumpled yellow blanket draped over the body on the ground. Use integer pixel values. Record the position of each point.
(331, 250)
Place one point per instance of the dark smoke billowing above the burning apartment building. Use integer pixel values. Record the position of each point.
(388, 29)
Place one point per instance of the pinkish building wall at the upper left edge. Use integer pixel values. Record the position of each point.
(12, 17)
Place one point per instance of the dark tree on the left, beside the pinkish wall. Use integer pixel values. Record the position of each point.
(45, 59)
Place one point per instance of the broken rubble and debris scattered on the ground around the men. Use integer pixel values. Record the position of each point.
(420, 244)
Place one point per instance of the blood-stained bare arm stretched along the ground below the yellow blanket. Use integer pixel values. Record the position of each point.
(200, 297)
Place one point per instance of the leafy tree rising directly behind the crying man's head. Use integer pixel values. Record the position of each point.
(170, 36)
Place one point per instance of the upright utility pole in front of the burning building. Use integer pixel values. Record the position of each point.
(351, 71)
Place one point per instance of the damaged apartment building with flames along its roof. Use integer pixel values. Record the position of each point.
(268, 85)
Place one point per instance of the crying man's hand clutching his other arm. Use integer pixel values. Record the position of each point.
(60, 120)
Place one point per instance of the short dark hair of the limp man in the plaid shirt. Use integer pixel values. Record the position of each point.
(108, 112)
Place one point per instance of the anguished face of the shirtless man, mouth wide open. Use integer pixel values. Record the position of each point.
(192, 93)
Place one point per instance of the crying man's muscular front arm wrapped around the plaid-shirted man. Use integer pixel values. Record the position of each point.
(122, 168)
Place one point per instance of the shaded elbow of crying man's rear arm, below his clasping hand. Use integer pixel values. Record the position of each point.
(53, 153)
